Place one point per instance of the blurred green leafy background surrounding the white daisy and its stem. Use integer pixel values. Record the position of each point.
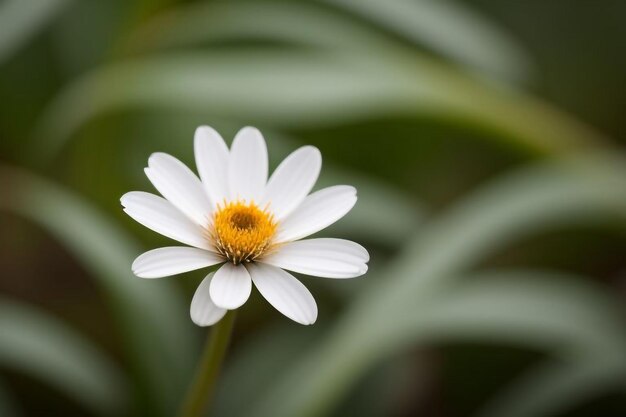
(485, 138)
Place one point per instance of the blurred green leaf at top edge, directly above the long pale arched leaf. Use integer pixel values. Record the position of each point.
(287, 22)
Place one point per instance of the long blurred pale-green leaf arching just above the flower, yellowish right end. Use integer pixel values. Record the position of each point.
(288, 90)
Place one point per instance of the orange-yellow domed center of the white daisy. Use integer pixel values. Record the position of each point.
(242, 232)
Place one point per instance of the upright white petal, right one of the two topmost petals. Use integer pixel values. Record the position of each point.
(247, 166)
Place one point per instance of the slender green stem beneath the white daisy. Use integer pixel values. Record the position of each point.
(201, 389)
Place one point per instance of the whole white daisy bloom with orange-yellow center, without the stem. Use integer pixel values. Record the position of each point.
(233, 215)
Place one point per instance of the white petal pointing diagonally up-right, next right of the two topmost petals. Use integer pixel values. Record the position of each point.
(292, 181)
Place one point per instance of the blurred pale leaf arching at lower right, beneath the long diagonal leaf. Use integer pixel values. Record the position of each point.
(560, 314)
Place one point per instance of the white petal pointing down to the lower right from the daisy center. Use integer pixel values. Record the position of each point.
(284, 292)
